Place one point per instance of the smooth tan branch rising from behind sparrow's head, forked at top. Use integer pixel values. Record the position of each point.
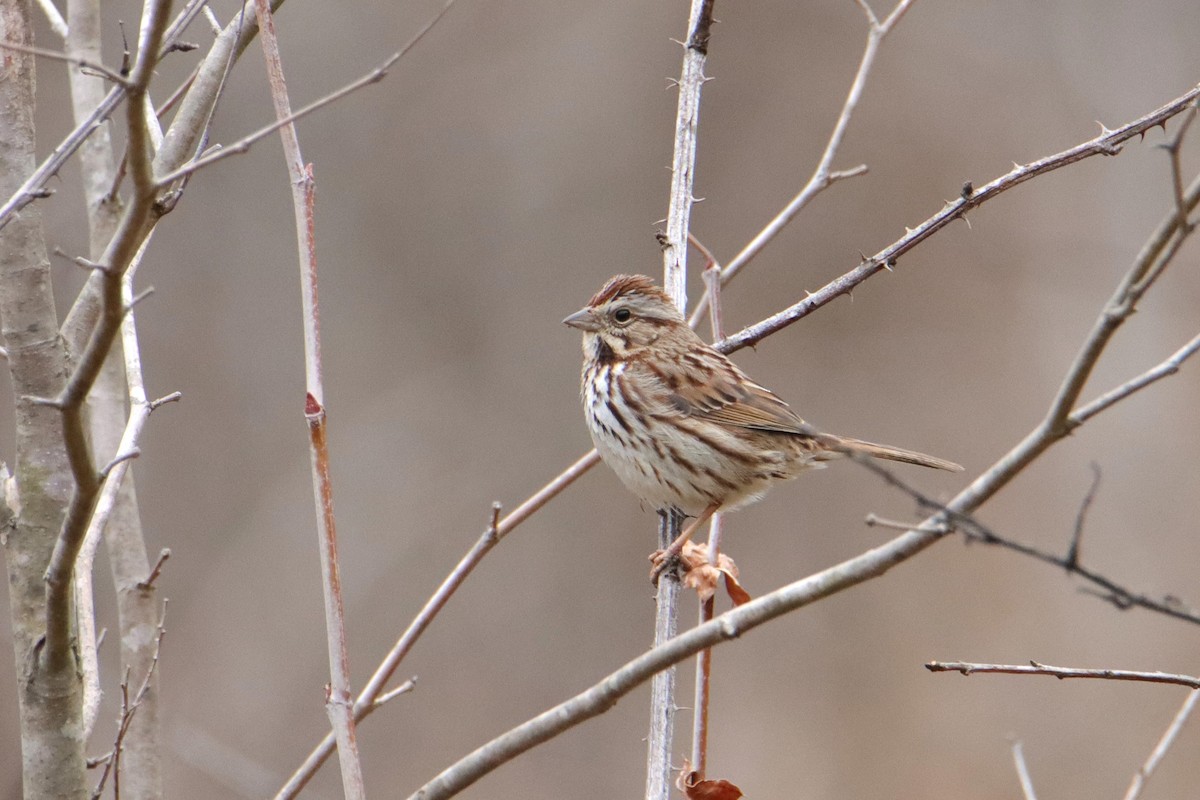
(824, 177)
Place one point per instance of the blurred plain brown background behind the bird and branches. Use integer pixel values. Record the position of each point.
(507, 167)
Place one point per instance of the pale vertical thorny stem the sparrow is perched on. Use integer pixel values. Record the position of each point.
(675, 280)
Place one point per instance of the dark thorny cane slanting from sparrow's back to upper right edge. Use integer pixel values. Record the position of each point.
(1108, 145)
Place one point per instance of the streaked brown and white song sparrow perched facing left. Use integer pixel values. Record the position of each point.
(680, 424)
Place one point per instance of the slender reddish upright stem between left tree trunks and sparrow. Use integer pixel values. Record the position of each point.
(340, 702)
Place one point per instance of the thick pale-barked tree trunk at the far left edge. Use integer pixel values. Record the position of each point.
(50, 702)
